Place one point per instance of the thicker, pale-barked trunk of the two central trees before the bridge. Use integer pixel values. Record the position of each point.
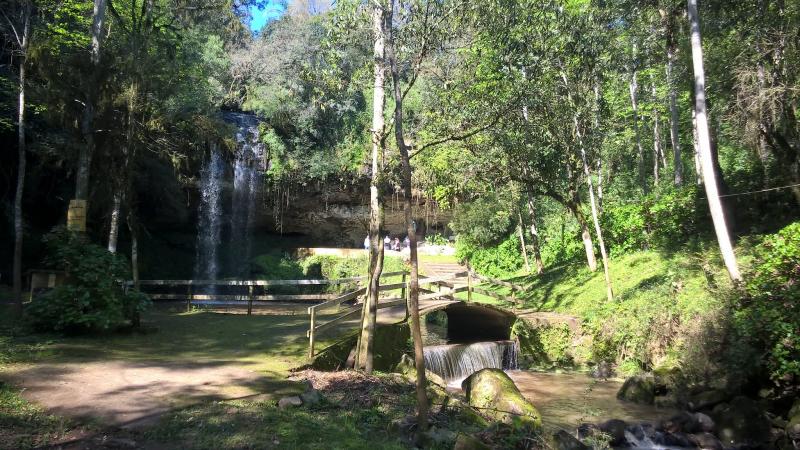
(364, 358)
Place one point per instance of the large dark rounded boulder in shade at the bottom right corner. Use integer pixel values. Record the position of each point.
(741, 422)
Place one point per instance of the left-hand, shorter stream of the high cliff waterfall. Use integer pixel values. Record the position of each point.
(209, 224)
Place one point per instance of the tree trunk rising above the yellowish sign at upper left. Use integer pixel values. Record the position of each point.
(87, 121)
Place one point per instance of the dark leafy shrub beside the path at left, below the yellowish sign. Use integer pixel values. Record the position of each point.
(92, 298)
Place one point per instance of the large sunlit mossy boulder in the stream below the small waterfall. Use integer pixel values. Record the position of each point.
(495, 394)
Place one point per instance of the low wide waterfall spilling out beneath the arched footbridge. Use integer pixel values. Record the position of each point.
(454, 362)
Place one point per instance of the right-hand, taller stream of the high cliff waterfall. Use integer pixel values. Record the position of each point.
(247, 169)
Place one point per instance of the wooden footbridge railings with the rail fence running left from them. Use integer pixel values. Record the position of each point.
(341, 311)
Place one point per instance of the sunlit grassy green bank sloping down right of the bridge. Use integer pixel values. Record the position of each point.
(664, 304)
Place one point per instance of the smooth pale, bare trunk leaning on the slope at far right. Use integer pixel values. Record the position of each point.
(704, 140)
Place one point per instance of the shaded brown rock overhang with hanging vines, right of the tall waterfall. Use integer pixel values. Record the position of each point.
(339, 215)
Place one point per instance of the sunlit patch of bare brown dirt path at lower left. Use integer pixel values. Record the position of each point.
(133, 392)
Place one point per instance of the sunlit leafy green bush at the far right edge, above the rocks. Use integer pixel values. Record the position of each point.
(768, 316)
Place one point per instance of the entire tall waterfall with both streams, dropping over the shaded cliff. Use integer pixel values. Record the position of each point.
(230, 193)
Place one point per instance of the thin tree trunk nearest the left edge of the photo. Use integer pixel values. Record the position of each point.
(18, 228)
